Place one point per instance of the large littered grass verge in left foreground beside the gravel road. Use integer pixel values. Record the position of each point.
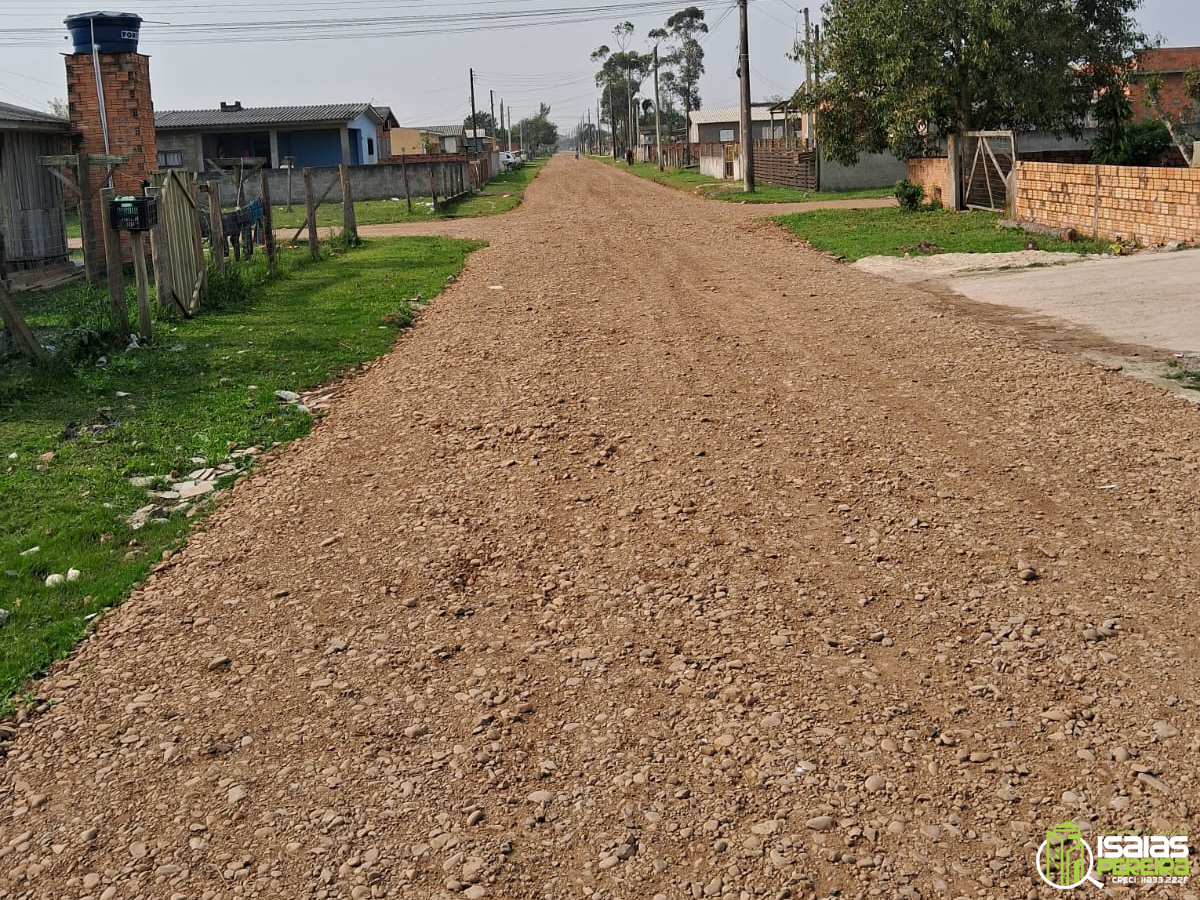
(71, 437)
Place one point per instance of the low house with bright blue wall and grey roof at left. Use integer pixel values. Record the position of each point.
(311, 136)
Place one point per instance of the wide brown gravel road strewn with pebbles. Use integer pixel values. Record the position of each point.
(689, 565)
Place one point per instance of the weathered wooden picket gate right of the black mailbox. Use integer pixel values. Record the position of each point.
(179, 217)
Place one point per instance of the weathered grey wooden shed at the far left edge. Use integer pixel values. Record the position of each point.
(32, 218)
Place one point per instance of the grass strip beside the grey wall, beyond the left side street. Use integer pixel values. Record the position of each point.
(501, 195)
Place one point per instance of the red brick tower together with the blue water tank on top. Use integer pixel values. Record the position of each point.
(129, 109)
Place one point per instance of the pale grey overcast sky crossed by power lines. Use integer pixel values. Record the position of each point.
(424, 77)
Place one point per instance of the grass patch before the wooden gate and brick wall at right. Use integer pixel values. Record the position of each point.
(891, 232)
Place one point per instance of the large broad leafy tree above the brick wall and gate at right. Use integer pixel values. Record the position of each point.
(893, 69)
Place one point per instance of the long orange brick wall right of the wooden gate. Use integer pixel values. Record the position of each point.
(1144, 205)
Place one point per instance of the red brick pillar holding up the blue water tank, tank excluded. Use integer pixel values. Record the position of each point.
(130, 110)
